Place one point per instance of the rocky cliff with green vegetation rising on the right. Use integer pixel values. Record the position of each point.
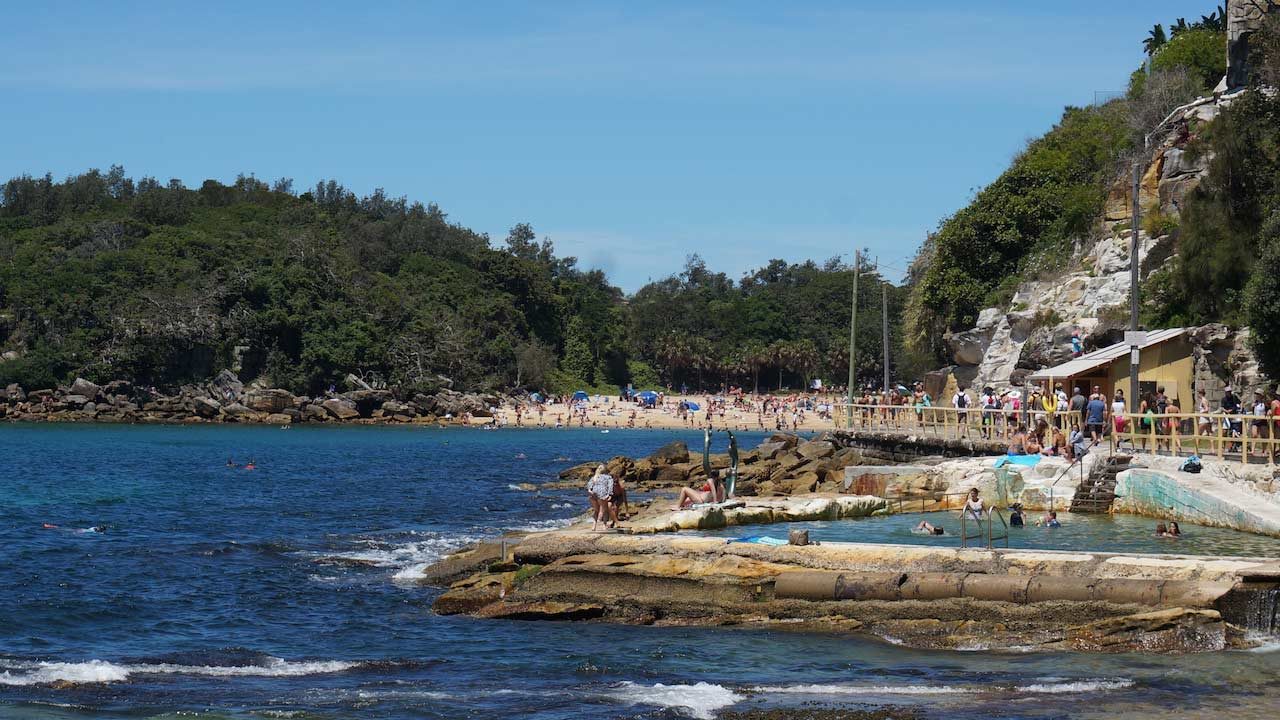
(1053, 233)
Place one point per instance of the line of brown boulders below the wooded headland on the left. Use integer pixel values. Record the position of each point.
(227, 400)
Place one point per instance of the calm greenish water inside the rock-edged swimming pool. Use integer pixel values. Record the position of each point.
(1101, 534)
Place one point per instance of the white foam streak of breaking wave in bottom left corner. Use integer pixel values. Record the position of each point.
(102, 672)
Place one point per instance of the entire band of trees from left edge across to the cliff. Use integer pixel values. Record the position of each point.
(109, 279)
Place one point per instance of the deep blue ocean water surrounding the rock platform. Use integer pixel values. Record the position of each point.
(287, 593)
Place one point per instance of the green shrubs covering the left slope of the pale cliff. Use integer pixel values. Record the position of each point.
(1050, 195)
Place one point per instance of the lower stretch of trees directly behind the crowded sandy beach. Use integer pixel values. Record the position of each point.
(780, 326)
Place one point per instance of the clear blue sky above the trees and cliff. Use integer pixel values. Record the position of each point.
(632, 134)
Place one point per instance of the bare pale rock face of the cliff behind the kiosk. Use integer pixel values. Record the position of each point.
(1092, 297)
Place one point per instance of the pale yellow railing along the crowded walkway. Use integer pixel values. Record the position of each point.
(1228, 438)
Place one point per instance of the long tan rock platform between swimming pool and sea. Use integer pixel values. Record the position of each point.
(931, 598)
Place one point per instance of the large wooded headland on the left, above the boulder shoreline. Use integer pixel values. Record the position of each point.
(109, 279)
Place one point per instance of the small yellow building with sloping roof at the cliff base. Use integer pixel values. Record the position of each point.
(1165, 361)
